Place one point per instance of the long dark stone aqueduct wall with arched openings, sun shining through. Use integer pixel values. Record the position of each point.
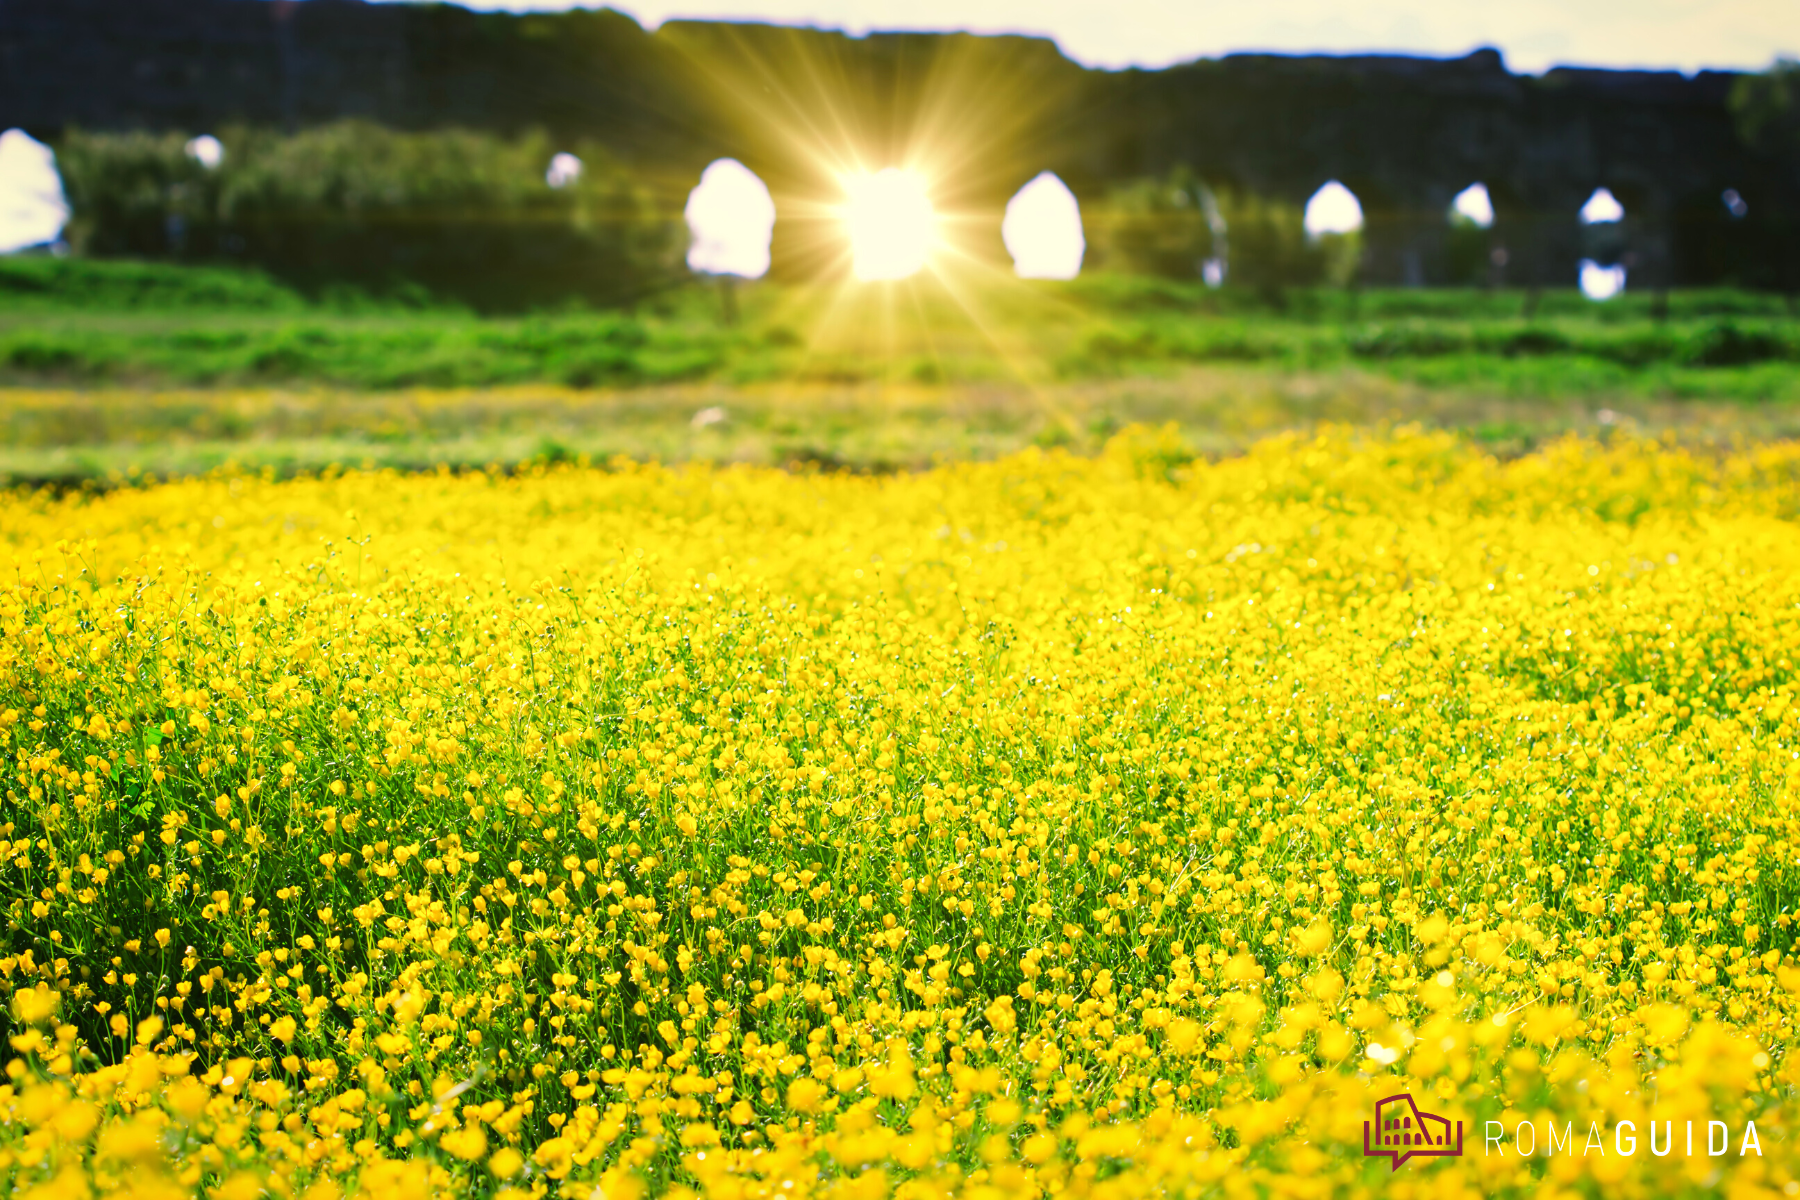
(984, 114)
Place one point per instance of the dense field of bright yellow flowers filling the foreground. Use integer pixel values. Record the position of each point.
(1106, 827)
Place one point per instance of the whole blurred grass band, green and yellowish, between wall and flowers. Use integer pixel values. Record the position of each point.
(120, 368)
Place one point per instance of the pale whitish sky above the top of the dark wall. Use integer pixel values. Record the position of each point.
(1533, 35)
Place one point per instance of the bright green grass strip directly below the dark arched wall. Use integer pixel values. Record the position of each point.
(96, 323)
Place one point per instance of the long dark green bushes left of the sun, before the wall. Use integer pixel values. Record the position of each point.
(454, 215)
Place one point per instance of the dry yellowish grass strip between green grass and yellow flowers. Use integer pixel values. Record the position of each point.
(78, 438)
